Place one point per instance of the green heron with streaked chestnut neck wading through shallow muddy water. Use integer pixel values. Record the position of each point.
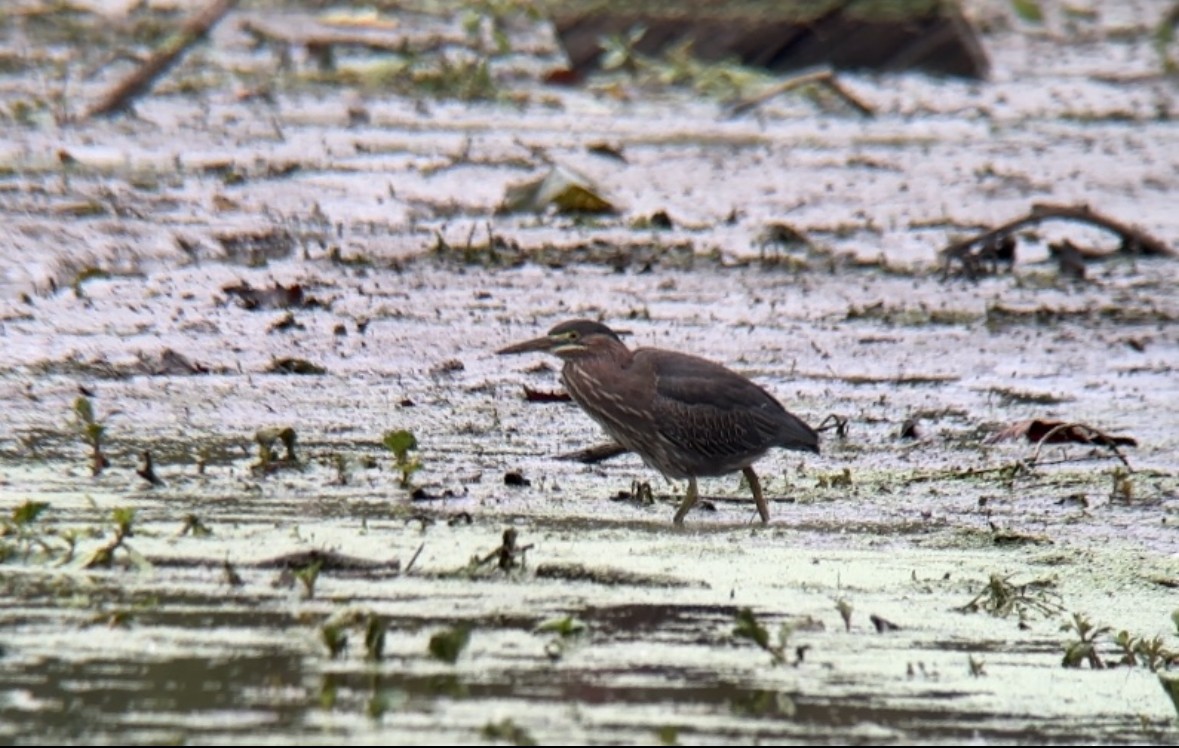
(686, 417)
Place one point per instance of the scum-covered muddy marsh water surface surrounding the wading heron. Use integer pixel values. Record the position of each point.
(262, 476)
